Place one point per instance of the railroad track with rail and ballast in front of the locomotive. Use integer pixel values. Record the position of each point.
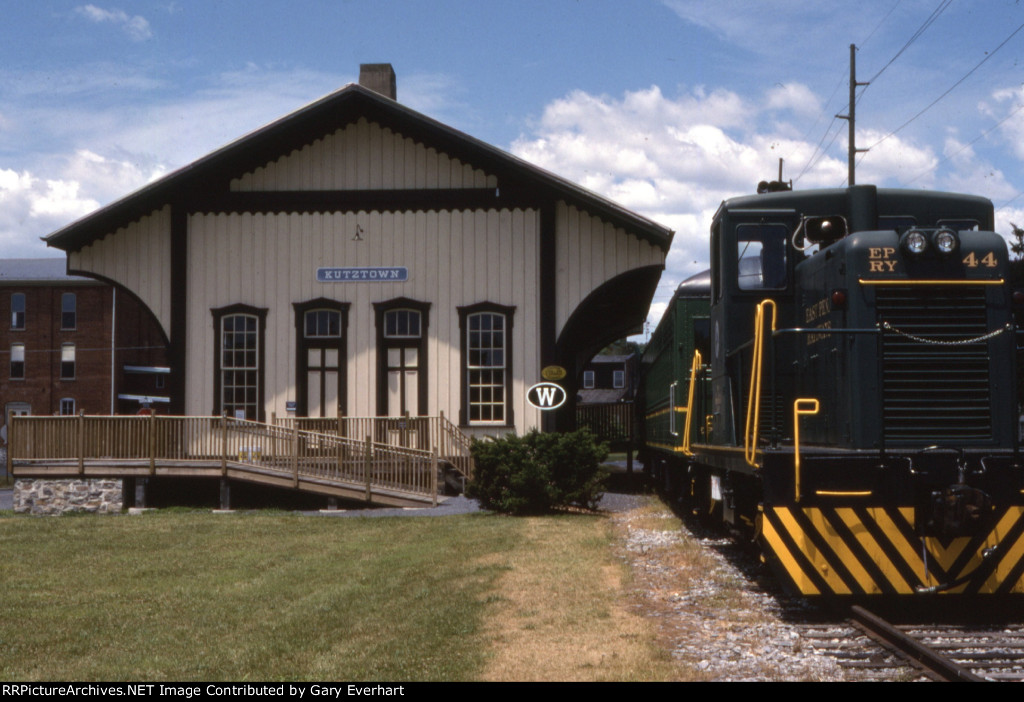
(870, 648)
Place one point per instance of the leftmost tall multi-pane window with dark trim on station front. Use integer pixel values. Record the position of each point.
(240, 360)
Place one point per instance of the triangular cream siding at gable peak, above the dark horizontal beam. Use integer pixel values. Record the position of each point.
(364, 156)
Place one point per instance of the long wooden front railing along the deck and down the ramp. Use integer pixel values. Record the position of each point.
(279, 451)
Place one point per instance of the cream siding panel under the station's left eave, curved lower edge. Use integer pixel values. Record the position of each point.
(139, 257)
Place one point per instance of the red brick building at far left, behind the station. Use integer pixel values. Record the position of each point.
(75, 344)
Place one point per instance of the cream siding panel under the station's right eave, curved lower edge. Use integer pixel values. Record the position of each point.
(590, 252)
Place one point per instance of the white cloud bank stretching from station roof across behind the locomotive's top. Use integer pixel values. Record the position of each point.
(676, 159)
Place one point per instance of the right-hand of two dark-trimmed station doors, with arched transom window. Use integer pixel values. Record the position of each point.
(402, 357)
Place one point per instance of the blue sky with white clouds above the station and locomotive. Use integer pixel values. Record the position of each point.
(667, 107)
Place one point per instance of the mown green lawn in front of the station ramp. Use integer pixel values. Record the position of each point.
(260, 596)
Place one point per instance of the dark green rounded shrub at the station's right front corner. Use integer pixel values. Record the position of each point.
(537, 473)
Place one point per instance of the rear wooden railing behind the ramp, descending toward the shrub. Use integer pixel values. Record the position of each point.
(425, 433)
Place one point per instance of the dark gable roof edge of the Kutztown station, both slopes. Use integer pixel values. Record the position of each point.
(327, 115)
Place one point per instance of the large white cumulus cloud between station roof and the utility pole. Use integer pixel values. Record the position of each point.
(673, 160)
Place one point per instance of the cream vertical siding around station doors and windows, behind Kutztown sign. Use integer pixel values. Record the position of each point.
(454, 259)
